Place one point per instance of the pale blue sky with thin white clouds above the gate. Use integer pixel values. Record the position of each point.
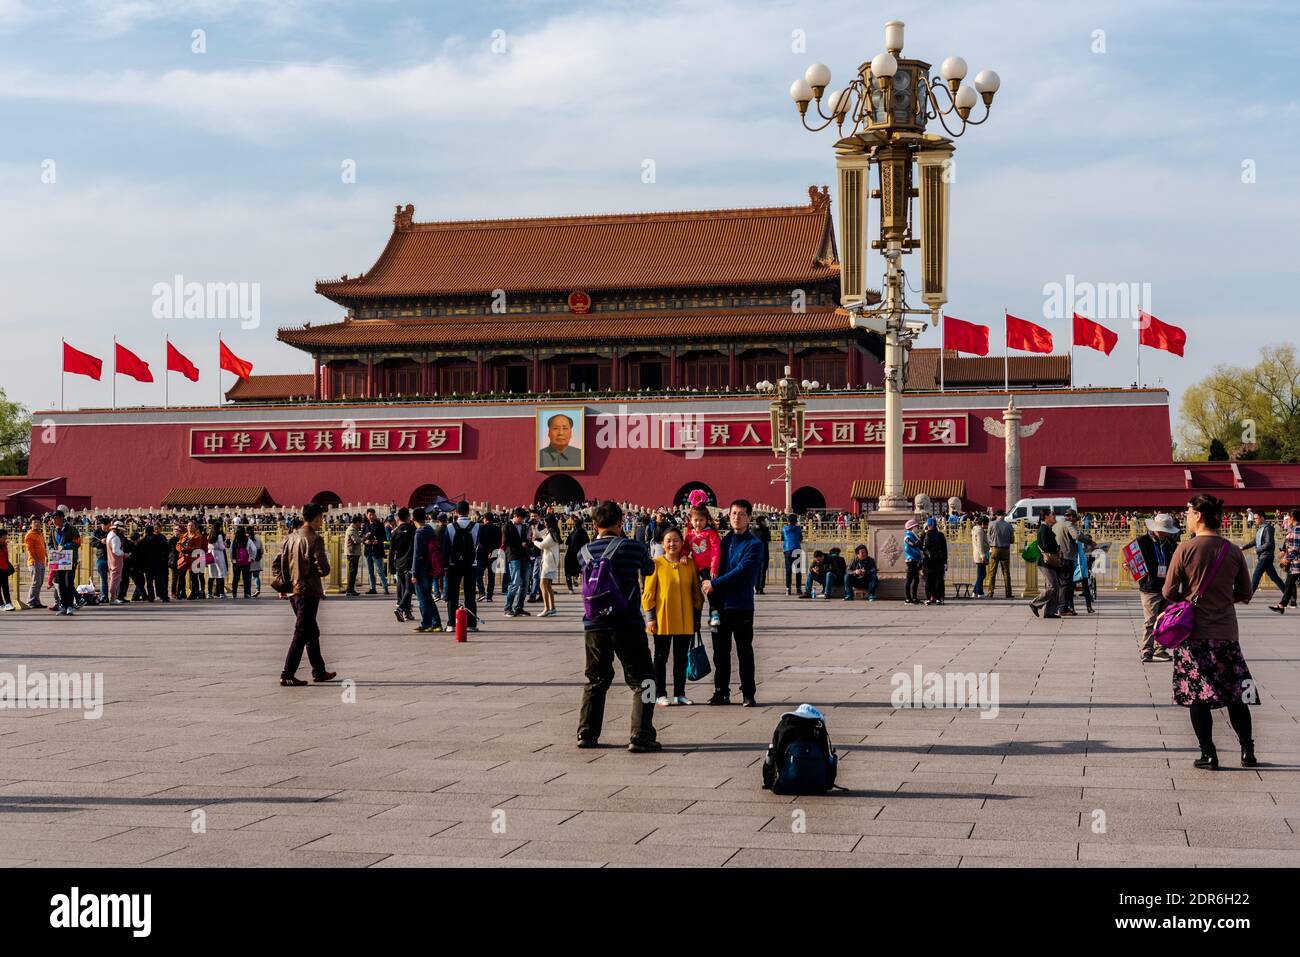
(1124, 166)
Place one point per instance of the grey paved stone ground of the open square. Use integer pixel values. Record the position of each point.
(463, 755)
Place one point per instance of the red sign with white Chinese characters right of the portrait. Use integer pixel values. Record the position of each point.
(824, 431)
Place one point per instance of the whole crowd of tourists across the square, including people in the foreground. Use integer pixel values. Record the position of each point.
(653, 582)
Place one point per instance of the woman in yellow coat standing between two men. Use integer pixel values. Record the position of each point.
(671, 603)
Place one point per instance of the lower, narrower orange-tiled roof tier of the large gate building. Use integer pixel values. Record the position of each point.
(622, 327)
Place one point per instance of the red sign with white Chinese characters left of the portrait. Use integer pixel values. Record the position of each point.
(350, 439)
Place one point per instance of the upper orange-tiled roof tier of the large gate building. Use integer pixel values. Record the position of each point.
(561, 254)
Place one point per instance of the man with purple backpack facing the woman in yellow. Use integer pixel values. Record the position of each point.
(612, 622)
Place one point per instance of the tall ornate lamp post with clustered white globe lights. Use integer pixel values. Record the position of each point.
(887, 109)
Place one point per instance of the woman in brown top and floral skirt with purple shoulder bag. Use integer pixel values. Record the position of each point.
(1210, 670)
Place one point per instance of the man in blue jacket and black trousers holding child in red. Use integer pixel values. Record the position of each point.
(734, 586)
